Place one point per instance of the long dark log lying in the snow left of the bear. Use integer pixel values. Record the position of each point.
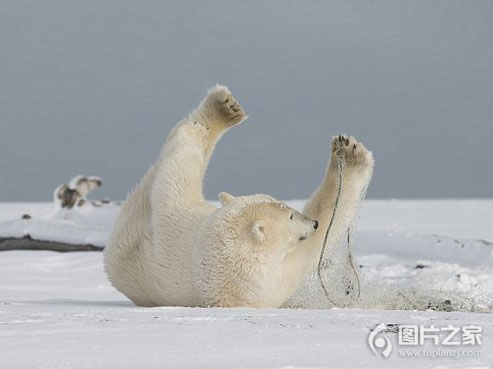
(28, 243)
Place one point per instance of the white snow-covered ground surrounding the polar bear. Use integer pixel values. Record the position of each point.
(58, 310)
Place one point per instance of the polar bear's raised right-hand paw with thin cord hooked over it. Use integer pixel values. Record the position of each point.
(354, 153)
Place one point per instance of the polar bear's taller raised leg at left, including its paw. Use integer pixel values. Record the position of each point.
(188, 148)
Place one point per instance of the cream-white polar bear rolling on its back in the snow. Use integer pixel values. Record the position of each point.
(170, 247)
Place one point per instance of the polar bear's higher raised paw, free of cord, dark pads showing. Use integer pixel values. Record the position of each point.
(222, 104)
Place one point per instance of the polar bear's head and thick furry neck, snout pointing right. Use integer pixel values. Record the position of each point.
(243, 250)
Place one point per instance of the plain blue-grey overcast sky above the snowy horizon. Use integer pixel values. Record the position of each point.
(94, 86)
